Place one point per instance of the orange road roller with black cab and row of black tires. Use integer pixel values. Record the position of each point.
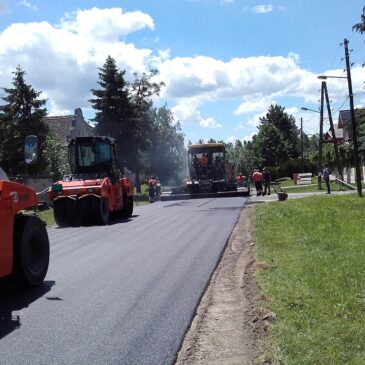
(94, 190)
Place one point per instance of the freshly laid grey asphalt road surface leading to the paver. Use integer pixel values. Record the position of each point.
(119, 294)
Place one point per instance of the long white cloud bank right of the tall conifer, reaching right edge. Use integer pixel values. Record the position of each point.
(257, 81)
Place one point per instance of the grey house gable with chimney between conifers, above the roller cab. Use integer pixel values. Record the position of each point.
(66, 127)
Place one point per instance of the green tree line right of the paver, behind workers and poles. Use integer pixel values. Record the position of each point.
(278, 146)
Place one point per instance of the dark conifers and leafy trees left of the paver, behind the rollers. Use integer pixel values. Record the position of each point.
(149, 140)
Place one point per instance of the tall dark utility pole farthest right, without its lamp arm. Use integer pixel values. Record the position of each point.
(353, 121)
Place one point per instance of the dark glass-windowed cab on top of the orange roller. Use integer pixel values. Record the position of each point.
(93, 157)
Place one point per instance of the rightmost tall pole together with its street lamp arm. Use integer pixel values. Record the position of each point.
(353, 122)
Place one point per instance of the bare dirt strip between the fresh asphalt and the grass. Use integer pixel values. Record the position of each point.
(229, 327)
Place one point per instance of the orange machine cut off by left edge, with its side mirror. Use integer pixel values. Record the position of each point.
(24, 245)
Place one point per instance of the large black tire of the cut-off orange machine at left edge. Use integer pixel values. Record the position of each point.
(31, 252)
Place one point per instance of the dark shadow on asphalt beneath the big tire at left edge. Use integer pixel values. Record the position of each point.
(12, 301)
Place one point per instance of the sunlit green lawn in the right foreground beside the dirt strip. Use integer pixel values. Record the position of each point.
(311, 255)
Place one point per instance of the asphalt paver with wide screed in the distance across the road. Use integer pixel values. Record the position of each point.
(210, 174)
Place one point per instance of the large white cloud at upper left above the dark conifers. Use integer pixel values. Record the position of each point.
(63, 60)
